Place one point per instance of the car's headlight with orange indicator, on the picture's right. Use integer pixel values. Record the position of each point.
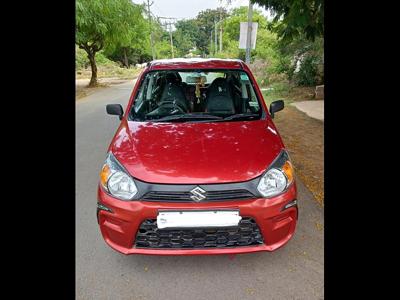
(278, 177)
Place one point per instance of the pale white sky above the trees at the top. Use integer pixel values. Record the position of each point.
(187, 9)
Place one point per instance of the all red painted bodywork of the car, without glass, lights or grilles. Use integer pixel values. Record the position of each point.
(196, 153)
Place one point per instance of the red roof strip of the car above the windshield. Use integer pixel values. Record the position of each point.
(195, 63)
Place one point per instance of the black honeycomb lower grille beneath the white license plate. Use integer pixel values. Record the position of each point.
(246, 234)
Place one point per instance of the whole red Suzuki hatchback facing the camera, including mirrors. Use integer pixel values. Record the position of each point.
(196, 166)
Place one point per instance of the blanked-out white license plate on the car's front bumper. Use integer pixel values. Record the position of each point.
(192, 219)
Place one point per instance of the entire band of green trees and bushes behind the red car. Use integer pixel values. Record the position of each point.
(117, 30)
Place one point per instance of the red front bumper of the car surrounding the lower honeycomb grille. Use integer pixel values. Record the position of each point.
(120, 225)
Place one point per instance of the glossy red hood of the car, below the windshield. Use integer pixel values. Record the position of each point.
(196, 153)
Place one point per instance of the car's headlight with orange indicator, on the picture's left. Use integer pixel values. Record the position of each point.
(116, 181)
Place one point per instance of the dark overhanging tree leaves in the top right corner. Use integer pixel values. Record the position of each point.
(296, 17)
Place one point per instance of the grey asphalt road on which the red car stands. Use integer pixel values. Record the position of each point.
(292, 272)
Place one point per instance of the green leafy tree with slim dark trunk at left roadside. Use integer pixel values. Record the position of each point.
(103, 23)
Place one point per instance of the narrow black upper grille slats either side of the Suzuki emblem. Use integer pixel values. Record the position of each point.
(210, 196)
